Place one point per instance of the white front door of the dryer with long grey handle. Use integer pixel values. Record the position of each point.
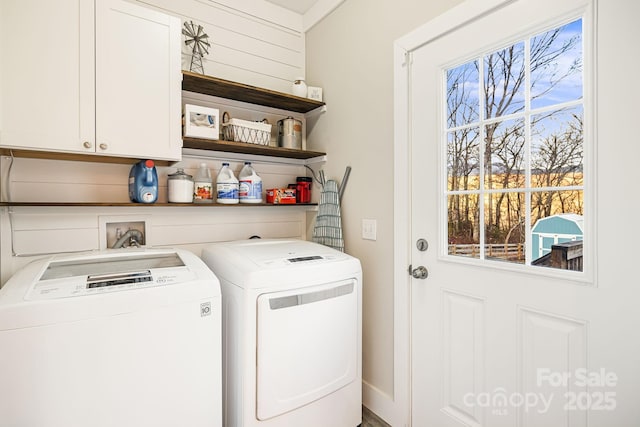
(307, 345)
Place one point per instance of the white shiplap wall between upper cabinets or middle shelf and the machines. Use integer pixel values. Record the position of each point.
(28, 232)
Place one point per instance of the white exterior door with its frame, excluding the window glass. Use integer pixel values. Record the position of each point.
(500, 344)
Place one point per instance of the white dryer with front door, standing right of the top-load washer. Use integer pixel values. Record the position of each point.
(292, 324)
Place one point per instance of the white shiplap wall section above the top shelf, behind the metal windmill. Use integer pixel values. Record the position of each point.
(253, 42)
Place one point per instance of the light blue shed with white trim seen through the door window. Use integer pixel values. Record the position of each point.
(555, 229)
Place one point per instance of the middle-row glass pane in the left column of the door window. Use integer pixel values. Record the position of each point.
(463, 159)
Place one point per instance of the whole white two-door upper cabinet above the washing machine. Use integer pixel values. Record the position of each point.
(95, 78)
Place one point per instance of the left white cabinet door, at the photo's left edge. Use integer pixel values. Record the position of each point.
(47, 68)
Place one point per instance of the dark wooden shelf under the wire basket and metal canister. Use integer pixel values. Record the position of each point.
(245, 148)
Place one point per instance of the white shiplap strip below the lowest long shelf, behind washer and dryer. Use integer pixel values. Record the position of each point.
(32, 232)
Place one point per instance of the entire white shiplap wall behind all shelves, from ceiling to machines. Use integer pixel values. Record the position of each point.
(253, 42)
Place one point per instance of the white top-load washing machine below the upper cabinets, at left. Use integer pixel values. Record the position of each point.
(115, 338)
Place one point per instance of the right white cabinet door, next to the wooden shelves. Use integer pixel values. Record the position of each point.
(138, 82)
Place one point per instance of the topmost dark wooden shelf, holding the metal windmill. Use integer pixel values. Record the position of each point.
(213, 86)
